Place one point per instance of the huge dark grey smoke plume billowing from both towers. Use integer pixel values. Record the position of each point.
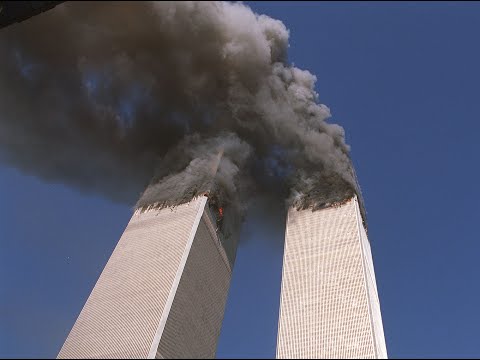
(107, 96)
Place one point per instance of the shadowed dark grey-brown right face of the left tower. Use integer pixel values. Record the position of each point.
(203, 291)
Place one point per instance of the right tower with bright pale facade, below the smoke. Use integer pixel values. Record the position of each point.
(329, 301)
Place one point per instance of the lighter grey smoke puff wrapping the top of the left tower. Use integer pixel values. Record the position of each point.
(213, 169)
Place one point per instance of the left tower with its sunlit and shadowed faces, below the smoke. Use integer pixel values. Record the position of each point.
(163, 291)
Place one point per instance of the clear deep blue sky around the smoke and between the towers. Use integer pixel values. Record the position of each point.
(404, 81)
